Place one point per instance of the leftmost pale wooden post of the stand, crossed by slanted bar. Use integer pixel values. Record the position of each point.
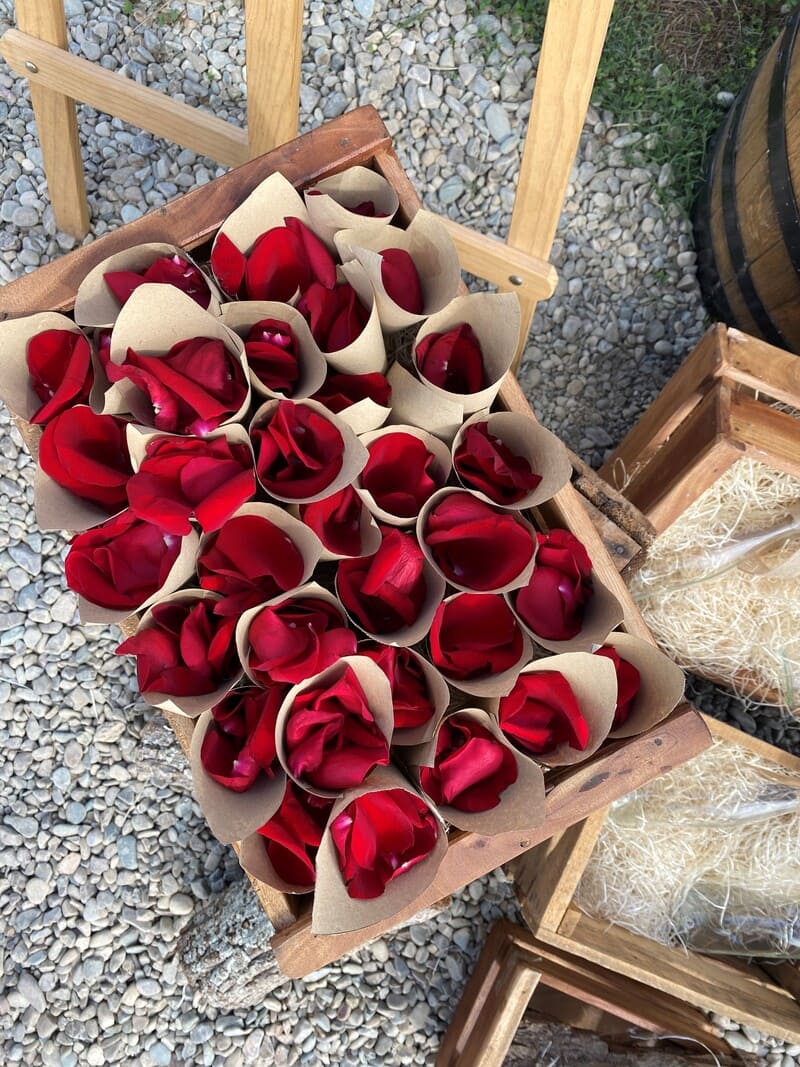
(57, 123)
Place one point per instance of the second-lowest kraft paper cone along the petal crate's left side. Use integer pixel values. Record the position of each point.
(232, 817)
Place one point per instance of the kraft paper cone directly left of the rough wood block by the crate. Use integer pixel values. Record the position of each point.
(543, 451)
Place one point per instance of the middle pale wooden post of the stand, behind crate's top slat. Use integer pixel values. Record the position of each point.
(274, 34)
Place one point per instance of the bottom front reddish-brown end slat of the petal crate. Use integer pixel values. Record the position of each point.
(619, 771)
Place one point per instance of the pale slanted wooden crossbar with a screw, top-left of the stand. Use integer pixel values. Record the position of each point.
(107, 91)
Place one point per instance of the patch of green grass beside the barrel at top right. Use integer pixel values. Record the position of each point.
(702, 46)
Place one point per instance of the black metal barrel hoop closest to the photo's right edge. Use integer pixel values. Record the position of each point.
(780, 176)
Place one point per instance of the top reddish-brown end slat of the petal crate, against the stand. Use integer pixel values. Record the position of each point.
(194, 219)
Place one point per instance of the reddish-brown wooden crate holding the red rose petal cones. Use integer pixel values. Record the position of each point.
(361, 138)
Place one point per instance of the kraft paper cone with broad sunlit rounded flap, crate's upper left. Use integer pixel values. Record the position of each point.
(154, 320)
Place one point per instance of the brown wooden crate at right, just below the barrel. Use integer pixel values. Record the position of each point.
(714, 411)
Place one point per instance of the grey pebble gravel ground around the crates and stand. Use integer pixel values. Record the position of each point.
(101, 877)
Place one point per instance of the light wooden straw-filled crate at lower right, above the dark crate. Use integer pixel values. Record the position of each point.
(547, 880)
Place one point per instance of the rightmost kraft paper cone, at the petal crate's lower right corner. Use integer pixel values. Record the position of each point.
(661, 683)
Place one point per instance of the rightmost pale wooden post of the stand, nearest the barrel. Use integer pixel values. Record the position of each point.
(571, 50)
